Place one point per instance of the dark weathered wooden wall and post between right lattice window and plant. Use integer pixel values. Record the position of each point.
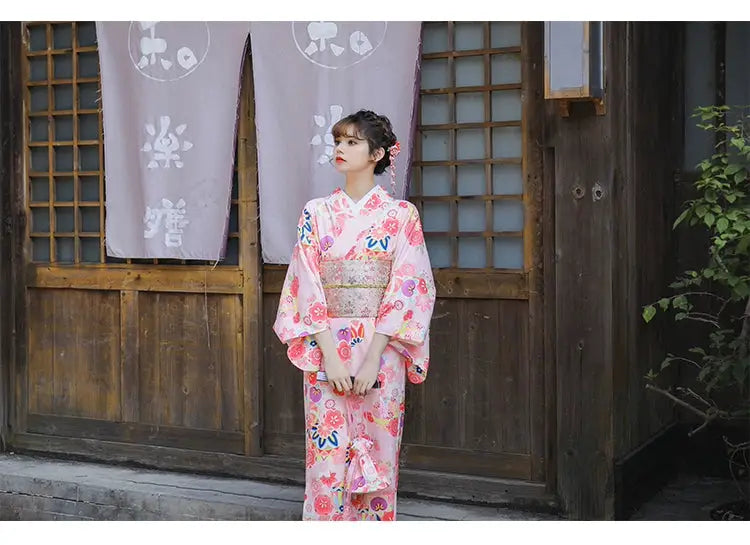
(613, 178)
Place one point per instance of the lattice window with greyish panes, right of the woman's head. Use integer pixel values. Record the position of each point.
(469, 165)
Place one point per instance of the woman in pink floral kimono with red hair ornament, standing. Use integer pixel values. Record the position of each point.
(355, 313)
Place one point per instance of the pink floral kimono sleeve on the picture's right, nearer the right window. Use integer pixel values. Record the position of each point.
(406, 308)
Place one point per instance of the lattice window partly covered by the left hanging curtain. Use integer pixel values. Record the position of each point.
(65, 151)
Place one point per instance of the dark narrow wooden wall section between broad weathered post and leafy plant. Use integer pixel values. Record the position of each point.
(656, 125)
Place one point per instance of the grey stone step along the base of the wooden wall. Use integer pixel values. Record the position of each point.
(34, 488)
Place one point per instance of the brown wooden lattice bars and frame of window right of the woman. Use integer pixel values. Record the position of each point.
(488, 282)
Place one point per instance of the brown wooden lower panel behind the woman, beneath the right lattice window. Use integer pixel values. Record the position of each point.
(471, 417)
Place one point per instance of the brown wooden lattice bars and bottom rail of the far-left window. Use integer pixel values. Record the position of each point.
(93, 274)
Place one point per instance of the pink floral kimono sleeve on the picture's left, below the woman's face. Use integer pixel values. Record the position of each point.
(302, 306)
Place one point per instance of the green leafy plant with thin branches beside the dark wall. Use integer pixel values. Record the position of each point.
(718, 295)
